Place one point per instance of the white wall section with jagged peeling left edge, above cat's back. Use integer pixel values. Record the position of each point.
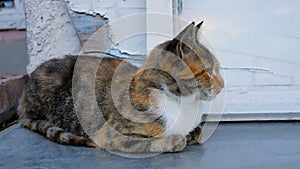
(126, 20)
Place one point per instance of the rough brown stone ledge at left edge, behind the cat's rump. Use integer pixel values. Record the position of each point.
(11, 87)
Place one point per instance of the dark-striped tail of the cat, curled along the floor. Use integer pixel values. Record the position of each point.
(56, 134)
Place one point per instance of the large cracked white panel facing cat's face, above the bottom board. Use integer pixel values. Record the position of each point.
(257, 41)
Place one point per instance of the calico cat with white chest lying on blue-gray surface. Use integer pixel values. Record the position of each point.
(160, 113)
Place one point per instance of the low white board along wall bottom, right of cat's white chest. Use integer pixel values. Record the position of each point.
(260, 103)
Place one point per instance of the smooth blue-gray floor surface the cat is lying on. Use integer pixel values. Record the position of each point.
(232, 146)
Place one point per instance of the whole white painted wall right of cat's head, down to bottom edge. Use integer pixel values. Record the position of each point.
(257, 43)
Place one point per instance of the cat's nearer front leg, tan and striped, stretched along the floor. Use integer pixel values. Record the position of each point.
(107, 138)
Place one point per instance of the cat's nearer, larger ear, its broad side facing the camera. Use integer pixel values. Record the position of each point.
(187, 35)
